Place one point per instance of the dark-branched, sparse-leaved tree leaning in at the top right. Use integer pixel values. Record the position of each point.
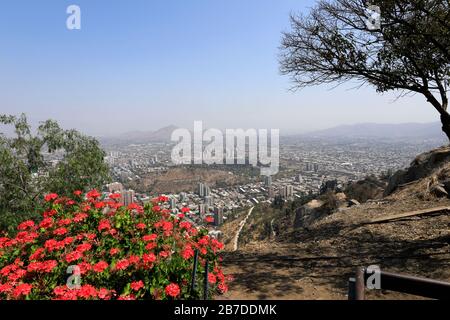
(408, 52)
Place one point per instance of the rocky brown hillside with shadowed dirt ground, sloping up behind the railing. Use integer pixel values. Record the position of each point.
(315, 256)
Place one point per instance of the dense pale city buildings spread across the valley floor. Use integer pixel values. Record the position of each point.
(306, 165)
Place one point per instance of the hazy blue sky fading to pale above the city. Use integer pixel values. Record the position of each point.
(142, 65)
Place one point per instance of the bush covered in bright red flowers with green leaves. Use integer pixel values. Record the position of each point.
(118, 252)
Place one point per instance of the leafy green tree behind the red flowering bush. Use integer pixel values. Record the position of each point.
(26, 172)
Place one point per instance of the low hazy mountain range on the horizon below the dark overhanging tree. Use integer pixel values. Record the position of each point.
(382, 131)
